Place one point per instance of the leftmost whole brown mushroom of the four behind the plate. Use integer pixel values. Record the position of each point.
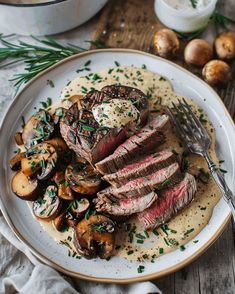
(166, 43)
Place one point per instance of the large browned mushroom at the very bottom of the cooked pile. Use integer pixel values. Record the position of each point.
(95, 237)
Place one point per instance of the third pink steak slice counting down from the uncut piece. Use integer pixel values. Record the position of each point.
(163, 178)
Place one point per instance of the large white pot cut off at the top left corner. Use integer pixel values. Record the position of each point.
(46, 18)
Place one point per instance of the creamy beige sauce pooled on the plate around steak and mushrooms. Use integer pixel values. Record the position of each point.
(189, 222)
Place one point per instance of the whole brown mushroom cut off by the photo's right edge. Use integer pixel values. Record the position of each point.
(225, 45)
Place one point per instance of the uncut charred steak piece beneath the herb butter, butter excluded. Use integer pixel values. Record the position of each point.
(85, 136)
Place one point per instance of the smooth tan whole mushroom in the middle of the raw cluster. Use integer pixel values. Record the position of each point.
(198, 52)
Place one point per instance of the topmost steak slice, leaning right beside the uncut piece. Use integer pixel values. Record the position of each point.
(142, 142)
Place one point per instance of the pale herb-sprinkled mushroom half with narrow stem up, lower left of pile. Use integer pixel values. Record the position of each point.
(48, 207)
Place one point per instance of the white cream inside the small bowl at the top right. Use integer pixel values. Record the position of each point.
(187, 4)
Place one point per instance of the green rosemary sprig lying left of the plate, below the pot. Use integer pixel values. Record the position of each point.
(36, 57)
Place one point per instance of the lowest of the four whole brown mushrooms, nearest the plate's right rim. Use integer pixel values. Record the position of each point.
(217, 72)
